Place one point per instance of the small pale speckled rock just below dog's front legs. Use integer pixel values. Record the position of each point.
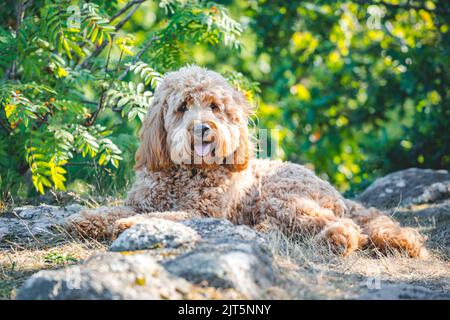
(154, 234)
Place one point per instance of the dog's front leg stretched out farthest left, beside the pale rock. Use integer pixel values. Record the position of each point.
(98, 223)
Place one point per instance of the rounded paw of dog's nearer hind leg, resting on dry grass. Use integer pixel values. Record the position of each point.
(342, 236)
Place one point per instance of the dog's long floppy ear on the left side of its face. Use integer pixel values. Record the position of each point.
(152, 152)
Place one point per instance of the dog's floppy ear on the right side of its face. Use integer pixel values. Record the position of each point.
(242, 154)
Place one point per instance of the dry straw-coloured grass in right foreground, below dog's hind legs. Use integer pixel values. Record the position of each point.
(311, 272)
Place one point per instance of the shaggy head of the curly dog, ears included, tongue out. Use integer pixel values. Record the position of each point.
(196, 120)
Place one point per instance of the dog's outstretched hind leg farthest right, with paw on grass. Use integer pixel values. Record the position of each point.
(385, 233)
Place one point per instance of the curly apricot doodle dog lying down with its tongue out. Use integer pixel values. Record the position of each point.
(195, 160)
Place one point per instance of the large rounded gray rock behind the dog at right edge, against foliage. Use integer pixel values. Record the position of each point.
(406, 187)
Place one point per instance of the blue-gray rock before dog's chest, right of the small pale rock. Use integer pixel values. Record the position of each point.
(227, 257)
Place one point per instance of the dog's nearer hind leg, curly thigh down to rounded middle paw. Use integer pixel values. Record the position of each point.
(304, 216)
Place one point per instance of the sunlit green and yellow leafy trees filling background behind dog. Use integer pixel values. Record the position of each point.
(356, 89)
